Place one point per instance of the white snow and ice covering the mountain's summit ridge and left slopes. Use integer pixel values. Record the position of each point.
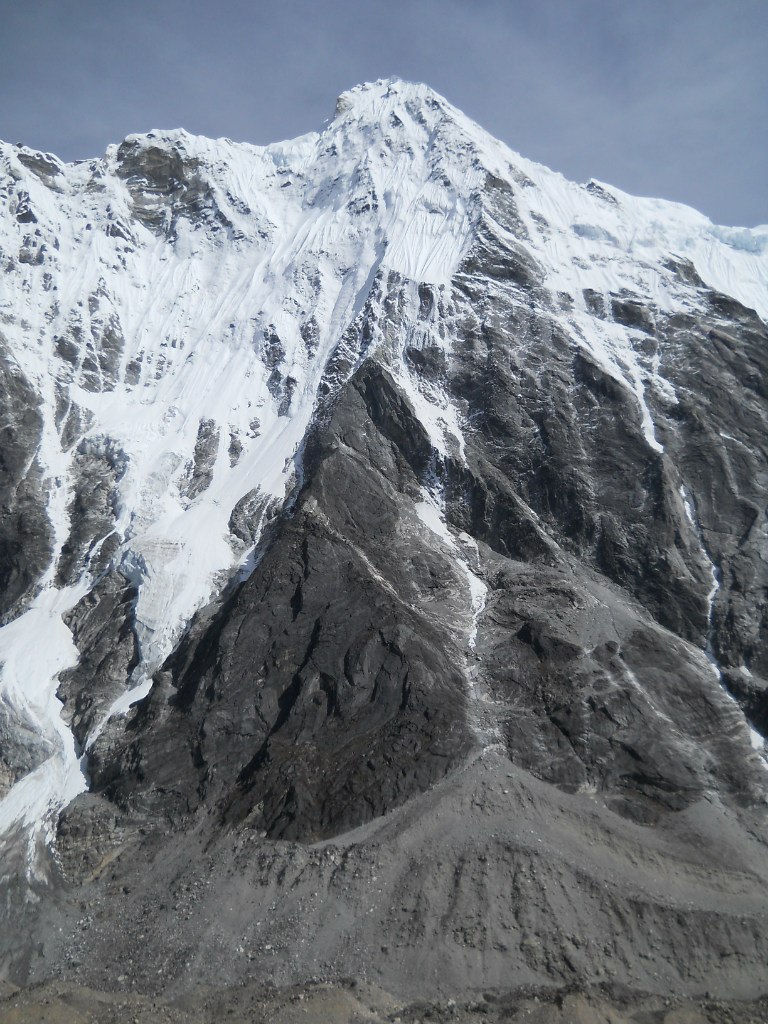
(186, 309)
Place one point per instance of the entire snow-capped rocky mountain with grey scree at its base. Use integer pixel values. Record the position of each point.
(385, 568)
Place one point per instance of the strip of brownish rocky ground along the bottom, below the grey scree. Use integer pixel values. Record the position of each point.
(351, 1003)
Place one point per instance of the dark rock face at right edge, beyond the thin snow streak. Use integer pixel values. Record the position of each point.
(717, 436)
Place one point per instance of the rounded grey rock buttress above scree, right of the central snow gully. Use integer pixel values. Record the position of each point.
(602, 717)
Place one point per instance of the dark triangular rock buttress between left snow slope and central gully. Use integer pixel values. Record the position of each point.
(363, 706)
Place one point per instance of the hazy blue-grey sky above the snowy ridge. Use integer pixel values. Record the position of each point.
(659, 99)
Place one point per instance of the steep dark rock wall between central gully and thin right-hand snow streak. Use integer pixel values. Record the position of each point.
(567, 438)
